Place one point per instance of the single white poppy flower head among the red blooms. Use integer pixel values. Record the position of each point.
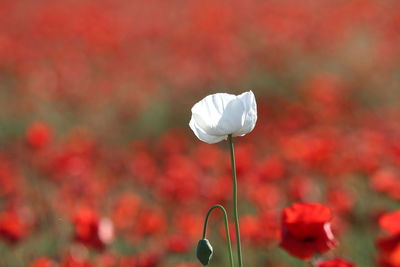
(218, 115)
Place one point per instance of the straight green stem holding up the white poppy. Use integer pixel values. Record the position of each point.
(235, 212)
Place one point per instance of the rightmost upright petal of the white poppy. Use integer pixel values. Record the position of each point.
(249, 101)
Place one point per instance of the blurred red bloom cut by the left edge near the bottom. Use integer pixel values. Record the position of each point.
(12, 226)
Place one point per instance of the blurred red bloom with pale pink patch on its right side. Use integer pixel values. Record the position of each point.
(90, 230)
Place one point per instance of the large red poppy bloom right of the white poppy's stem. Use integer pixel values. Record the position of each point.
(306, 230)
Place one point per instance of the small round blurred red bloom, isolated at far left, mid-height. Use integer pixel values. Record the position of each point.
(38, 135)
